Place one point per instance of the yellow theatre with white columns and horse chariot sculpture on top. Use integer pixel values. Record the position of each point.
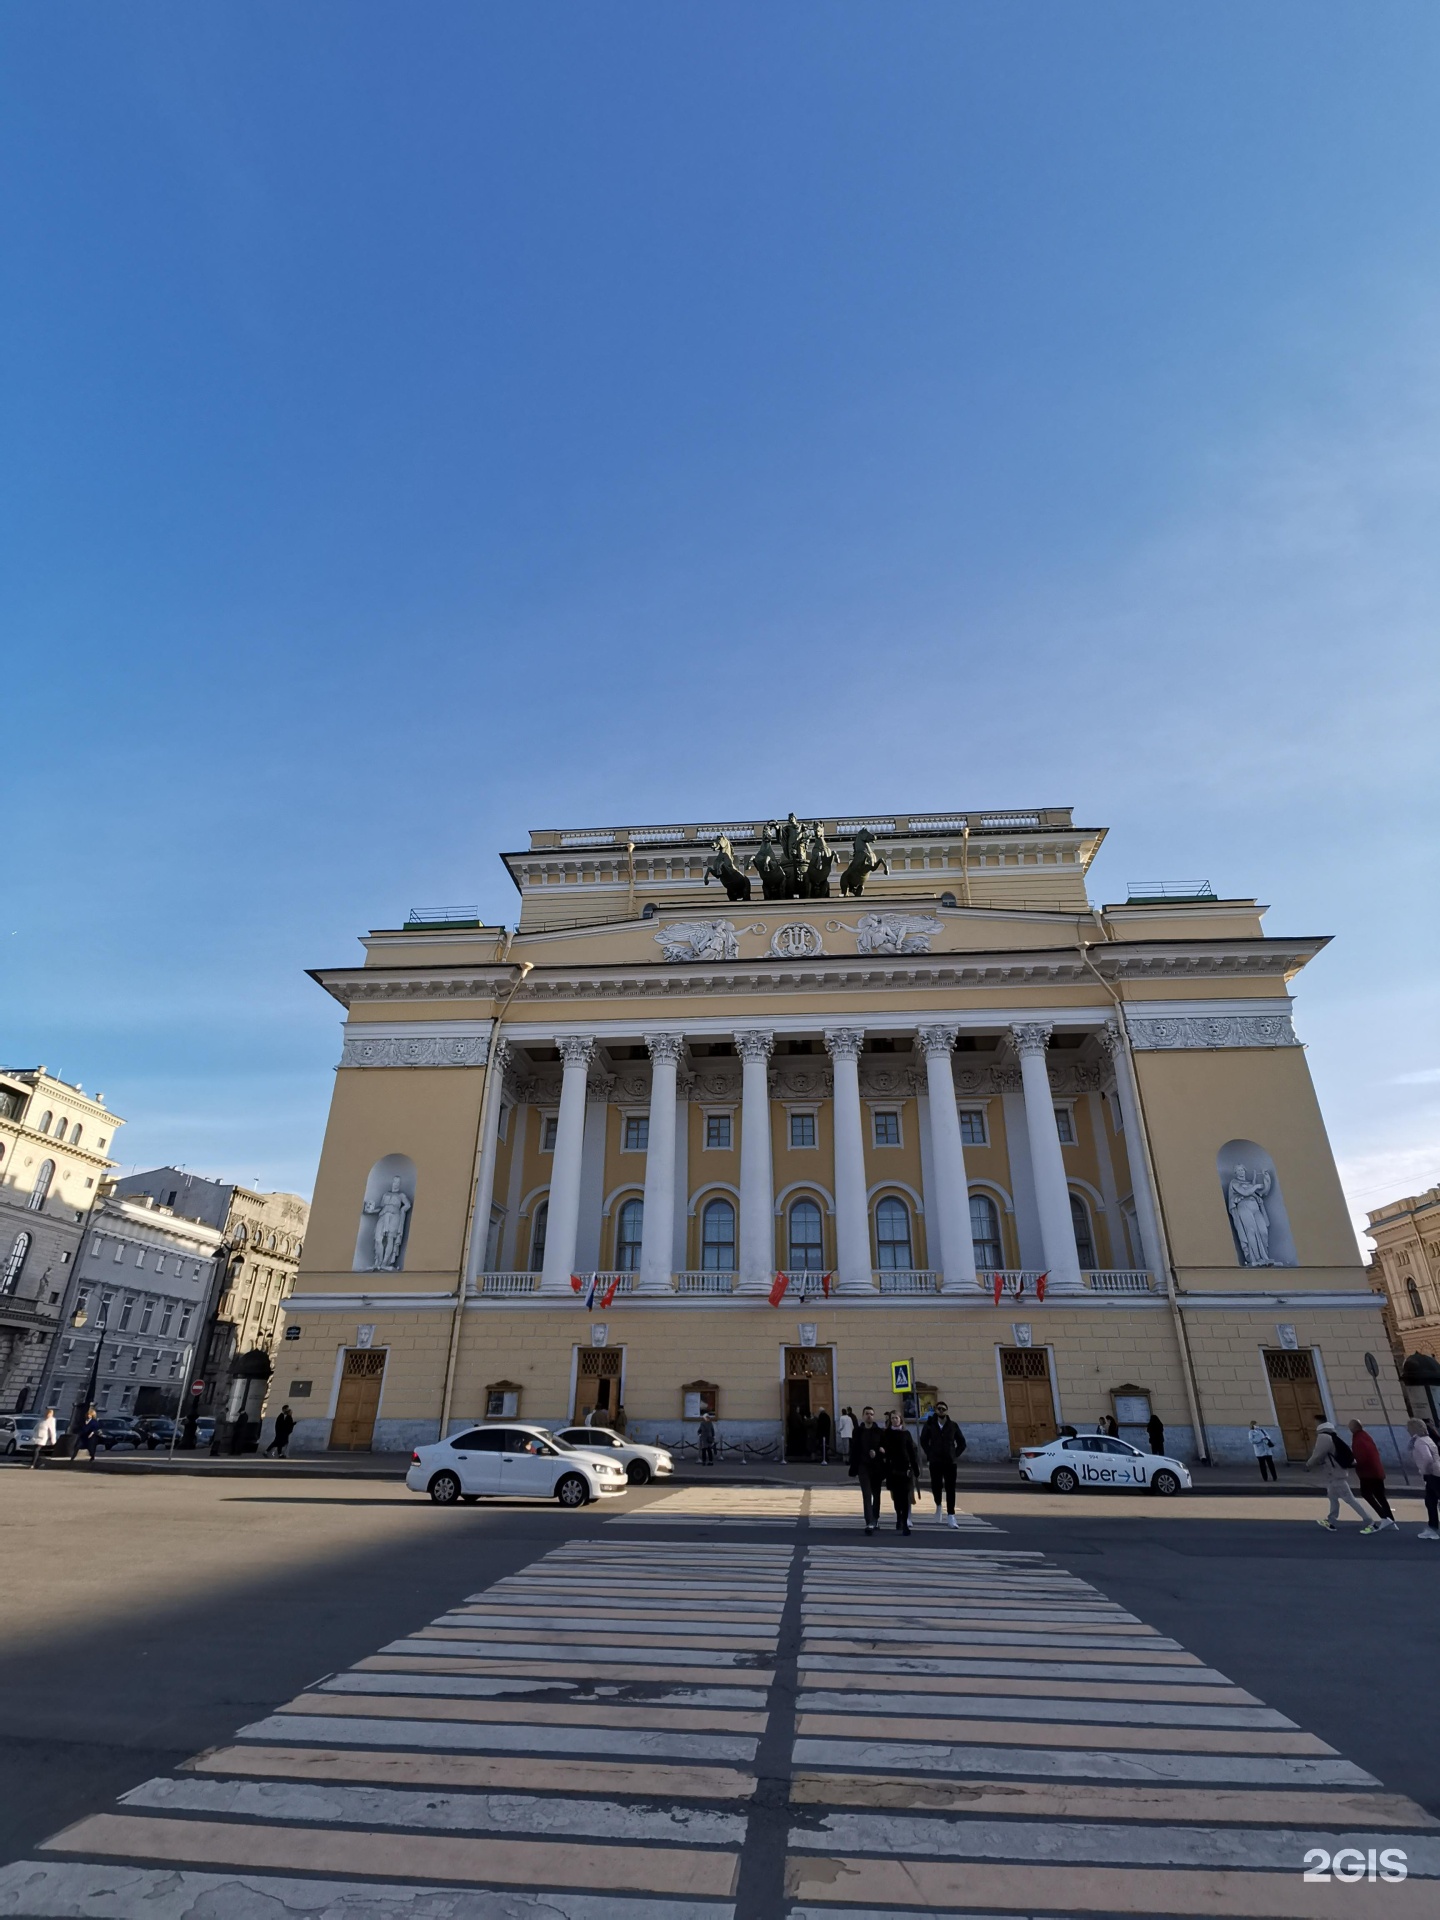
(681, 1145)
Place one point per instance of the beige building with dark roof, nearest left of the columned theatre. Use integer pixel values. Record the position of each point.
(264, 1236)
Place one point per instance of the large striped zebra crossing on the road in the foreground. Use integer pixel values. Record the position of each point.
(756, 1731)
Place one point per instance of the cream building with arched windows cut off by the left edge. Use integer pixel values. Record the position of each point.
(55, 1153)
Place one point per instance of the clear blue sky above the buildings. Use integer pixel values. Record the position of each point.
(435, 423)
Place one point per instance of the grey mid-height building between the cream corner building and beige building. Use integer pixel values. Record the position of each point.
(143, 1280)
